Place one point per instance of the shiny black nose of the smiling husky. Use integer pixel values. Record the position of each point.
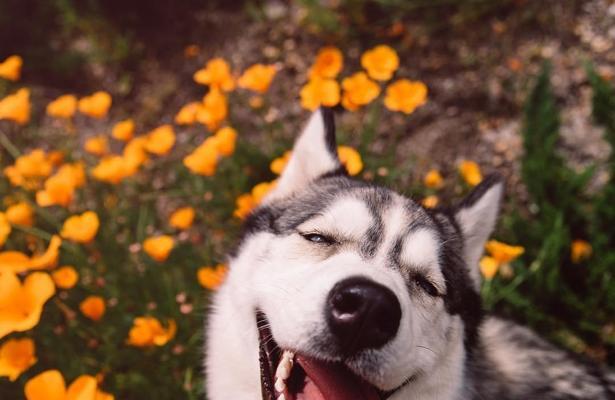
(362, 314)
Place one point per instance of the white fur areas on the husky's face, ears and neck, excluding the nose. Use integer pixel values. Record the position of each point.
(289, 278)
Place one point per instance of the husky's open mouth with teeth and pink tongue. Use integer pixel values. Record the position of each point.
(286, 375)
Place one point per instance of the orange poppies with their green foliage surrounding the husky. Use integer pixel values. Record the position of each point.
(114, 229)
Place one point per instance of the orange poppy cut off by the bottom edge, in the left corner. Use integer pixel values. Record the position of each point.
(50, 385)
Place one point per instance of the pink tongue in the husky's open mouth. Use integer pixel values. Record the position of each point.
(329, 381)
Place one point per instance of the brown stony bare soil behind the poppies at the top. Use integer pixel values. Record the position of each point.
(478, 74)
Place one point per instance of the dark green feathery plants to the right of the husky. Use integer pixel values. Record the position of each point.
(572, 301)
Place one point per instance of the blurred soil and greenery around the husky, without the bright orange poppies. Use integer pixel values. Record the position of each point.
(521, 87)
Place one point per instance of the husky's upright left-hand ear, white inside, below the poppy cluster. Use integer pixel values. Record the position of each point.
(314, 154)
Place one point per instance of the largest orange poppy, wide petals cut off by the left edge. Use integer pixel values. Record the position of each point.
(21, 304)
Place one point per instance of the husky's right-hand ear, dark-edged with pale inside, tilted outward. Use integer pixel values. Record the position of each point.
(476, 216)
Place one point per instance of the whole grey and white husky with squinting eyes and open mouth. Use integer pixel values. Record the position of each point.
(343, 290)
